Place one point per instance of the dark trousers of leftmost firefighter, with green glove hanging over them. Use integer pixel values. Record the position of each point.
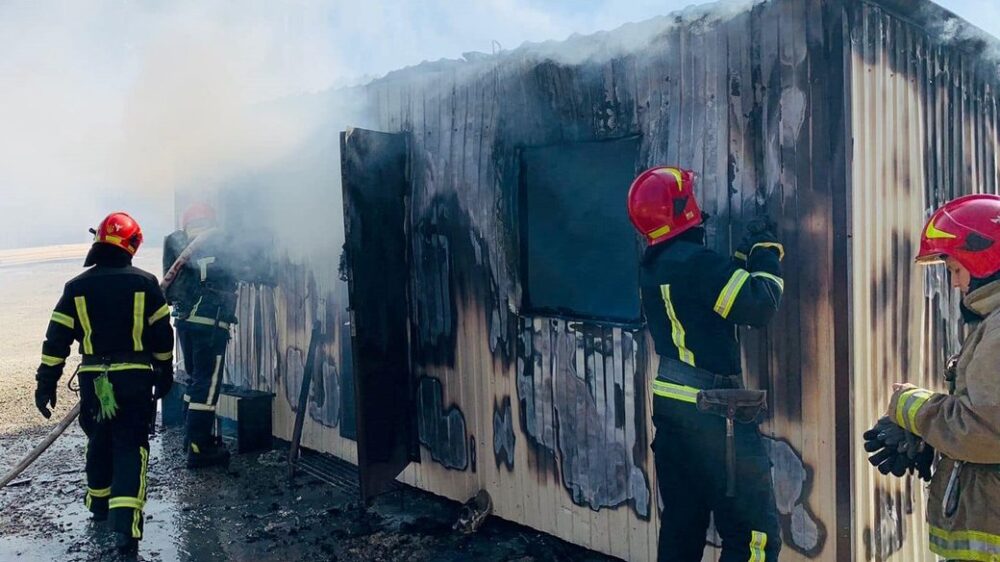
(117, 454)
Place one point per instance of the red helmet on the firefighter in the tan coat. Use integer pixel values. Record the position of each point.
(967, 229)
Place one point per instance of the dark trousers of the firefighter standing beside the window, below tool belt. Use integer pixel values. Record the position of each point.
(690, 453)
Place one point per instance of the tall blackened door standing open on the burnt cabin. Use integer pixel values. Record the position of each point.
(373, 166)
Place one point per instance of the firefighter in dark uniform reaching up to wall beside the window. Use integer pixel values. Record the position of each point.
(693, 299)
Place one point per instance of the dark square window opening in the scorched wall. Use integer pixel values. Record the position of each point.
(579, 256)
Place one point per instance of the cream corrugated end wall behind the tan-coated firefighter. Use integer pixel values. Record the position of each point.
(924, 127)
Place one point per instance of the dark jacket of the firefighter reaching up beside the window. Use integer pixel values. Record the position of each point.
(693, 298)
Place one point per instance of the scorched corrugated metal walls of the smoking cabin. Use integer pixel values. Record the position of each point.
(552, 416)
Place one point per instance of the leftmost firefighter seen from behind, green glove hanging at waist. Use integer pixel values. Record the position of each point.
(120, 318)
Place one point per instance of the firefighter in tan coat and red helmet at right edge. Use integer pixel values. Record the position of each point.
(963, 425)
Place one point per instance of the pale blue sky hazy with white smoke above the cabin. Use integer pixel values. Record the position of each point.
(107, 103)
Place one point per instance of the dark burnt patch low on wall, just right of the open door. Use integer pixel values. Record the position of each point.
(441, 430)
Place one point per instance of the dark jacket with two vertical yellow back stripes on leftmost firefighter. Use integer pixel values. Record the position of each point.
(116, 312)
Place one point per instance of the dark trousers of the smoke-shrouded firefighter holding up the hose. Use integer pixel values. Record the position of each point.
(204, 350)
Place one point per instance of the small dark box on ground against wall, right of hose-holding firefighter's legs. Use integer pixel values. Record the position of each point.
(244, 416)
